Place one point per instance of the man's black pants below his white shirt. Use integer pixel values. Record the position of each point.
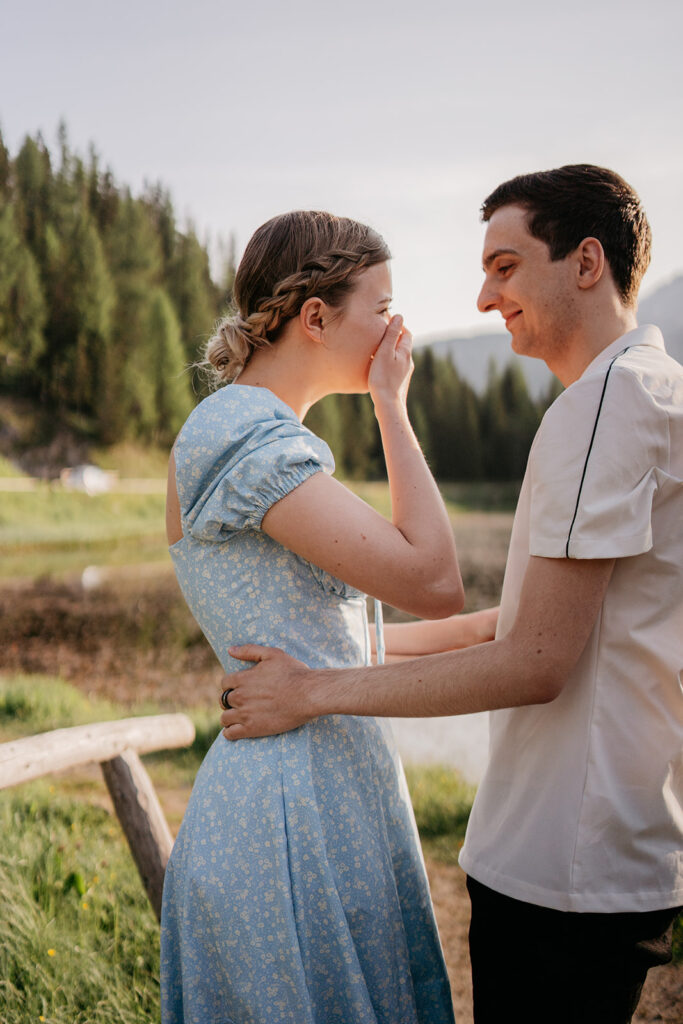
(548, 967)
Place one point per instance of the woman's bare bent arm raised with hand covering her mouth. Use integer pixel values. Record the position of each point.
(410, 562)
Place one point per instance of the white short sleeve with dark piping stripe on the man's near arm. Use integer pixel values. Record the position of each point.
(594, 470)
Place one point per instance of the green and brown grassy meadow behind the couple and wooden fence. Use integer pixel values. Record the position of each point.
(78, 940)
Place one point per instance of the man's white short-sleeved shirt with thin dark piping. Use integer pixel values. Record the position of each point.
(582, 804)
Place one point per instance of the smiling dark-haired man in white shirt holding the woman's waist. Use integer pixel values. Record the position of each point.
(574, 849)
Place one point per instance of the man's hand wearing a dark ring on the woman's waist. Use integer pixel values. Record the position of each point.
(272, 698)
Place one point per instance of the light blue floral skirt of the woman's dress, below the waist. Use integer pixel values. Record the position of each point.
(296, 891)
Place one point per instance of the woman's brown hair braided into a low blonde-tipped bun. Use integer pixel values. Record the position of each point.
(290, 260)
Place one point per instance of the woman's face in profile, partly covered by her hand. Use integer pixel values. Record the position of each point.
(353, 337)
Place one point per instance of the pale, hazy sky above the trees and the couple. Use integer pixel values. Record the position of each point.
(403, 115)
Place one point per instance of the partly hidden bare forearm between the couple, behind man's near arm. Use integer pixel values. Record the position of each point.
(434, 636)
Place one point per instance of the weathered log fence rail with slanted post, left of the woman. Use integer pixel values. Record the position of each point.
(116, 747)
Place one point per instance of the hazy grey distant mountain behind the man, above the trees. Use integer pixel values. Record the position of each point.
(472, 354)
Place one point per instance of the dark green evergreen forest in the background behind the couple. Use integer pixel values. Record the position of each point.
(106, 301)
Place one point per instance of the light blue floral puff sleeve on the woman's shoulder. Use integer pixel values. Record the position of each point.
(231, 470)
